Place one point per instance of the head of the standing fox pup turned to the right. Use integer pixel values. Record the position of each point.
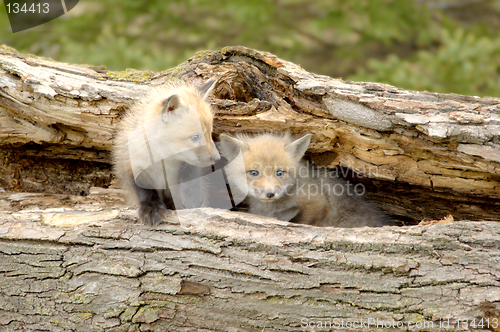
(180, 126)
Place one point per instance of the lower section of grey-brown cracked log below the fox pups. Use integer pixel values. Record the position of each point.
(93, 269)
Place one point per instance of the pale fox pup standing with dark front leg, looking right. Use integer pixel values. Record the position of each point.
(163, 142)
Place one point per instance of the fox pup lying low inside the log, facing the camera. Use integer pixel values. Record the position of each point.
(280, 185)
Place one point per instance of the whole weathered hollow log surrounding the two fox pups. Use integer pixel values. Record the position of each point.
(75, 257)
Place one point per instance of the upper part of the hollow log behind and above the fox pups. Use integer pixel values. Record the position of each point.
(443, 146)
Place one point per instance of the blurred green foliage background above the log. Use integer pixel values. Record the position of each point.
(434, 45)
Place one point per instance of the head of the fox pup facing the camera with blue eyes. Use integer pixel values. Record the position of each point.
(271, 163)
